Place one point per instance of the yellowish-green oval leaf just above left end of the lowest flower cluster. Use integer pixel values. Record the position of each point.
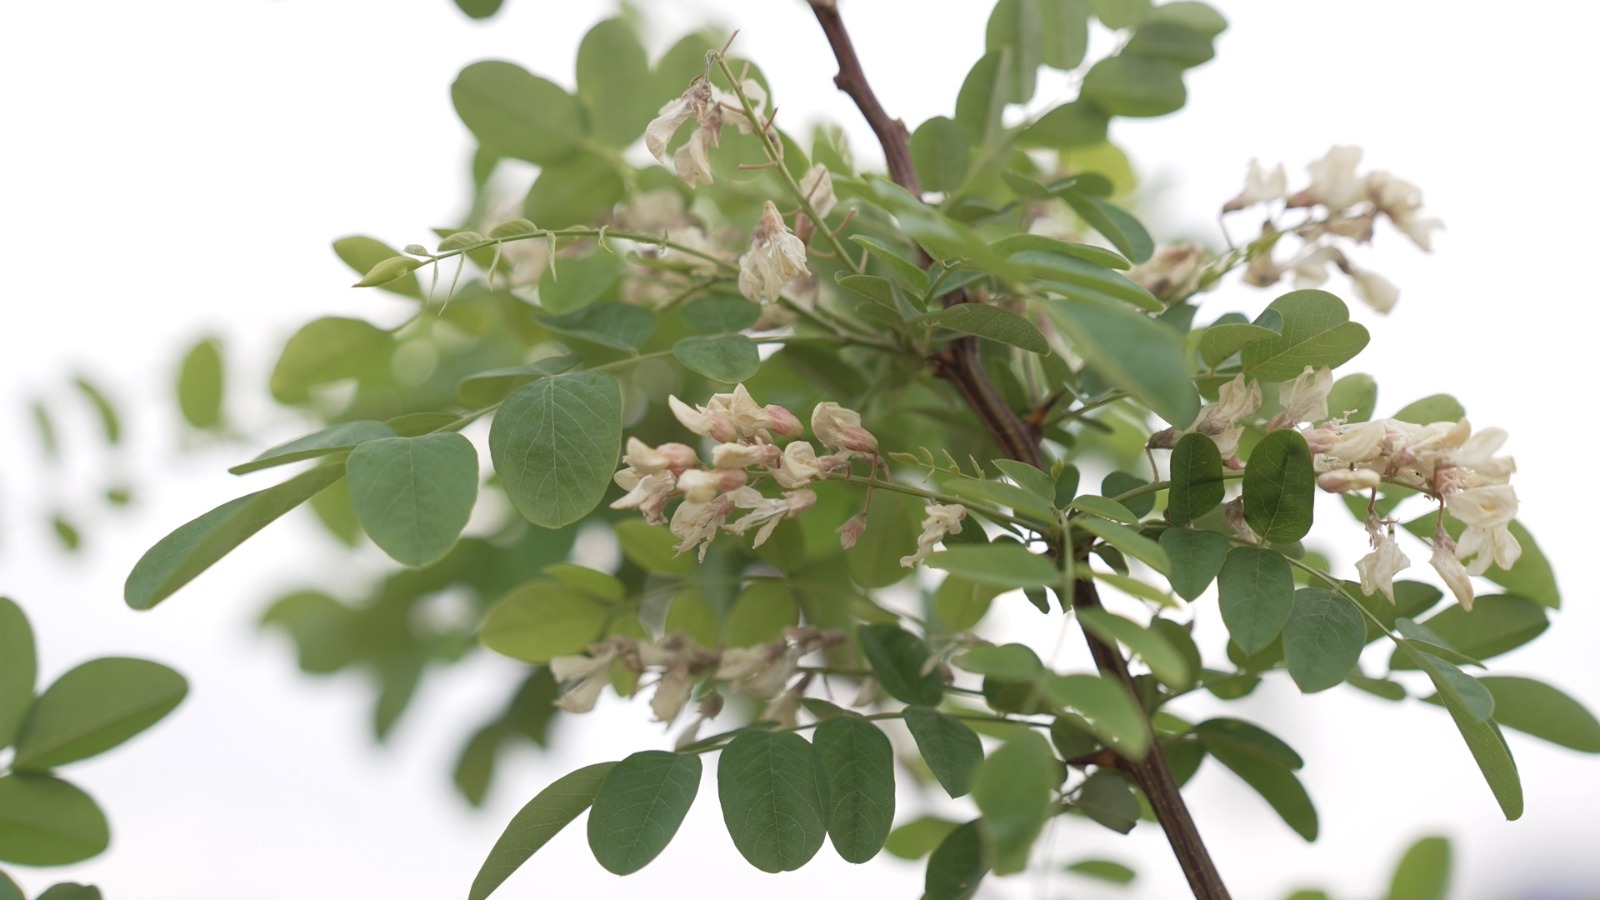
(538, 621)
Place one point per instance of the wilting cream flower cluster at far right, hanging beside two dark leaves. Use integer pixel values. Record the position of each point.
(1444, 460)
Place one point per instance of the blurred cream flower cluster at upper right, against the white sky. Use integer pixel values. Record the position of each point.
(1345, 206)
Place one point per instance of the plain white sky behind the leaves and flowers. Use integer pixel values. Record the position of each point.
(175, 167)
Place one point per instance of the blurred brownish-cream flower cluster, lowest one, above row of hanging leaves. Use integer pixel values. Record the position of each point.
(764, 672)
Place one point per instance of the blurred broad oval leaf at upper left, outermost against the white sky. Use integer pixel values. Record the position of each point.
(518, 115)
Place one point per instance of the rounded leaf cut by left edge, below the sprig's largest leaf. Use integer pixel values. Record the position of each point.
(47, 822)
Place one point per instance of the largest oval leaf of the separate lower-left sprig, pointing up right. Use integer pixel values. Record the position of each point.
(94, 709)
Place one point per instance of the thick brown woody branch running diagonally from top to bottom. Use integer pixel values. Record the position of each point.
(1020, 441)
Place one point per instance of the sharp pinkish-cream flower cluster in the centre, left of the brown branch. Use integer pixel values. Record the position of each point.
(745, 456)
